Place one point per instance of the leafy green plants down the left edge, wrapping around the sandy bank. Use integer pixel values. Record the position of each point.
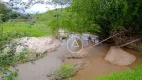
(10, 58)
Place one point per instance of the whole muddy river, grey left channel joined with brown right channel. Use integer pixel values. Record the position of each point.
(94, 64)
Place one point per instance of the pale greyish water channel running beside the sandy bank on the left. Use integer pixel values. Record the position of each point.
(42, 67)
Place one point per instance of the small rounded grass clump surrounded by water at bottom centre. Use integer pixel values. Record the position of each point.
(65, 71)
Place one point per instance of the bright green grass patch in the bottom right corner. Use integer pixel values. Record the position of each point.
(126, 75)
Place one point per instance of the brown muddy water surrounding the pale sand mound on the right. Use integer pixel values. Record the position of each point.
(96, 66)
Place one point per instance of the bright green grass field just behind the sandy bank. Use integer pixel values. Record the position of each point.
(36, 30)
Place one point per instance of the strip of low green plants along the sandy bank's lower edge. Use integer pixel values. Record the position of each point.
(7, 60)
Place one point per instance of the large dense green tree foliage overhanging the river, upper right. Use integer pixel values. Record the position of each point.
(102, 17)
